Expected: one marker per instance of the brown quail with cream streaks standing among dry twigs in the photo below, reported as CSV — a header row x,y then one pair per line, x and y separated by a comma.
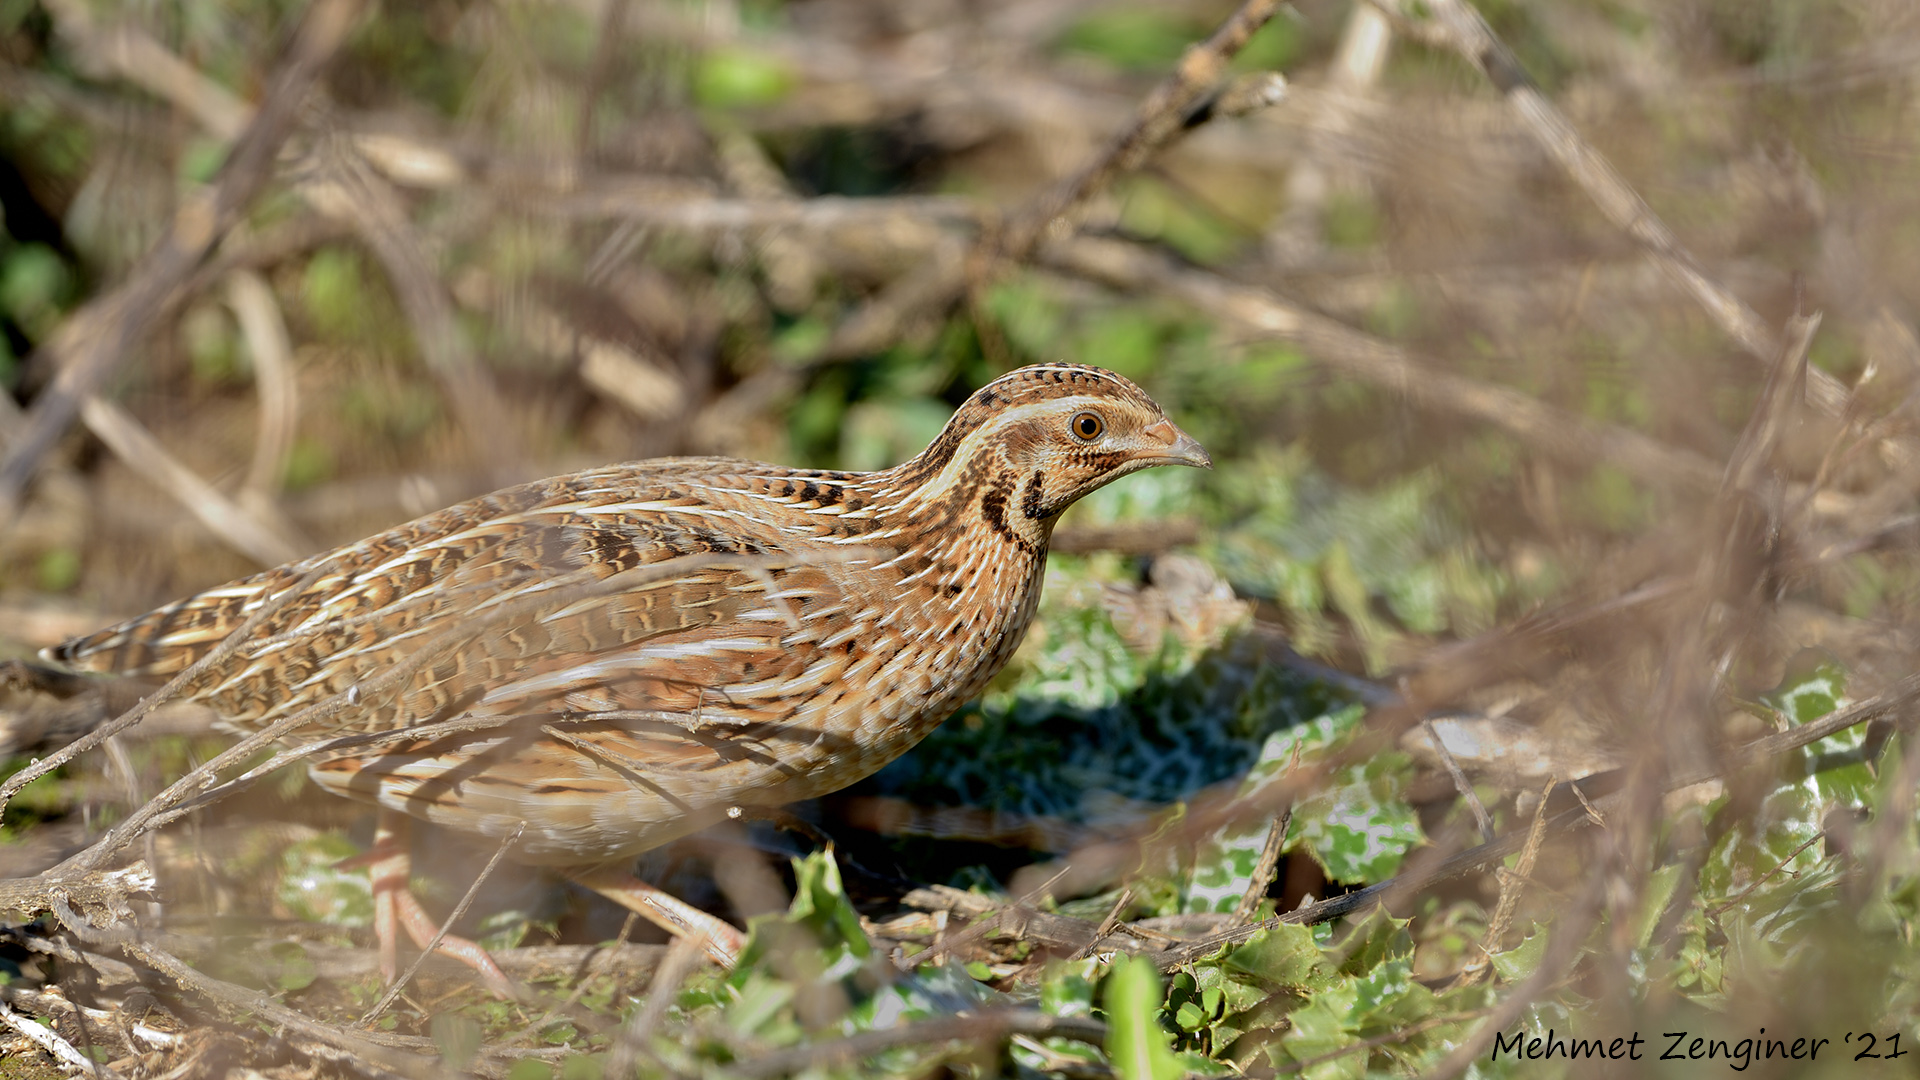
x,y
621,656
